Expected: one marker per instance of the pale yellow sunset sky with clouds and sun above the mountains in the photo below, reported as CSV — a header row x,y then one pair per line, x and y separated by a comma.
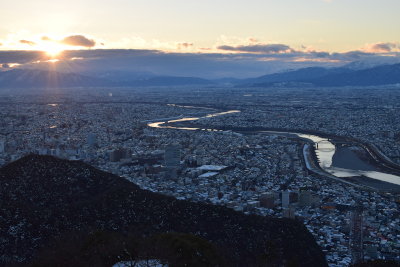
x,y
209,39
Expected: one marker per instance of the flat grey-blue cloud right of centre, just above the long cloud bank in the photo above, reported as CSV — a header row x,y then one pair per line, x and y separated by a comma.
x,y
258,48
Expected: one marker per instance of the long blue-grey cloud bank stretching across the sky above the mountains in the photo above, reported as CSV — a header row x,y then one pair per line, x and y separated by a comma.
x,y
206,62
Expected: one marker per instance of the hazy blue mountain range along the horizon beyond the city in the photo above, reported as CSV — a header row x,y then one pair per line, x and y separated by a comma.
x,y
353,74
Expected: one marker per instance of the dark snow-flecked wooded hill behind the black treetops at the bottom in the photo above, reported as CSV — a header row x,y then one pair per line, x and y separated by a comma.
x,y
43,197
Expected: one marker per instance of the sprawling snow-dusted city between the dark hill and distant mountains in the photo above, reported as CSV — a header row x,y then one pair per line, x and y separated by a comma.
x,y
190,143
